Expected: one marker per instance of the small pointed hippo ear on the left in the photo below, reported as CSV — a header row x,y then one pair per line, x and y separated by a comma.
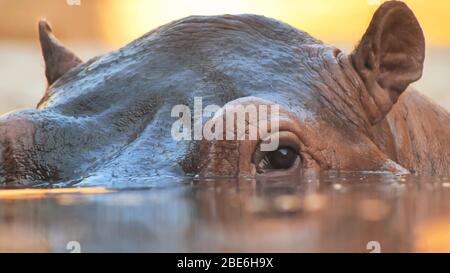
x,y
58,59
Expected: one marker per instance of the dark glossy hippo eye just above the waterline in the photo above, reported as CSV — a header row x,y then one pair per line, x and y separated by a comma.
x,y
282,159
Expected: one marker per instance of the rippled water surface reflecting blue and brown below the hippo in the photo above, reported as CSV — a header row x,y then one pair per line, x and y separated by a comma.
x,y
331,212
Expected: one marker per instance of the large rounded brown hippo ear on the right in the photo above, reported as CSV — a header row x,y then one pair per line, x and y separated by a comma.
x,y
389,57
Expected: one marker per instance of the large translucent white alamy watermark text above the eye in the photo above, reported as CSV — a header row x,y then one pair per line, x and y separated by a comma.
x,y
257,121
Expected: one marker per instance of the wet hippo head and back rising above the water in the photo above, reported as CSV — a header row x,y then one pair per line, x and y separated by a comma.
x,y
108,121
